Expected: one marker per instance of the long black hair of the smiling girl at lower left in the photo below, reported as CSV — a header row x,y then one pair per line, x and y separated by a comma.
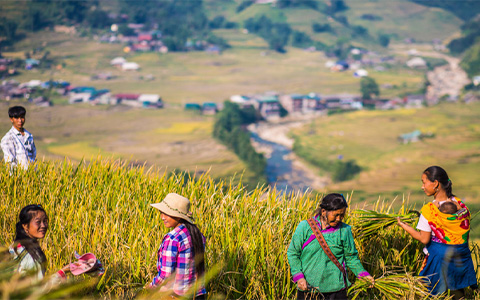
x,y
31,245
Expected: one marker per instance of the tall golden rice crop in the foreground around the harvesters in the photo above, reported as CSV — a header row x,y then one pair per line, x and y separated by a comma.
x,y
104,207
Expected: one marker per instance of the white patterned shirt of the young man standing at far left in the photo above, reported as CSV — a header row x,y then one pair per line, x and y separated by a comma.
x,y
18,149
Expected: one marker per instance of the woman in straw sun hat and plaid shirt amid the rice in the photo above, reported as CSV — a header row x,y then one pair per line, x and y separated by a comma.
x,y
182,252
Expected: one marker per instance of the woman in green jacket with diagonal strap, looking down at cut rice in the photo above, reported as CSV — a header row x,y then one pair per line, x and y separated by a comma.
x,y
316,275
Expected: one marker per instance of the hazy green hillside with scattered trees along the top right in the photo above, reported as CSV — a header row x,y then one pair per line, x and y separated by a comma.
x,y
399,19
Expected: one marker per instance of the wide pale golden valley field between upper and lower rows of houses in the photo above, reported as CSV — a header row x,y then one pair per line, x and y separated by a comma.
x,y
248,68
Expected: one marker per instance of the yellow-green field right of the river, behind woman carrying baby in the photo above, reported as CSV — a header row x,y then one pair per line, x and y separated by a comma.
x,y
390,168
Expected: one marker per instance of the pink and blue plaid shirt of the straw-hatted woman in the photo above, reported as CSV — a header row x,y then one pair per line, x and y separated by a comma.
x,y
175,258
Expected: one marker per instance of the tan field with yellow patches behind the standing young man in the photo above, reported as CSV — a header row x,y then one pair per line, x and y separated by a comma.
x,y
169,138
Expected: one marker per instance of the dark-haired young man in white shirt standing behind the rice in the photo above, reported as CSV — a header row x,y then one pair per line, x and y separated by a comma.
x,y
17,145
